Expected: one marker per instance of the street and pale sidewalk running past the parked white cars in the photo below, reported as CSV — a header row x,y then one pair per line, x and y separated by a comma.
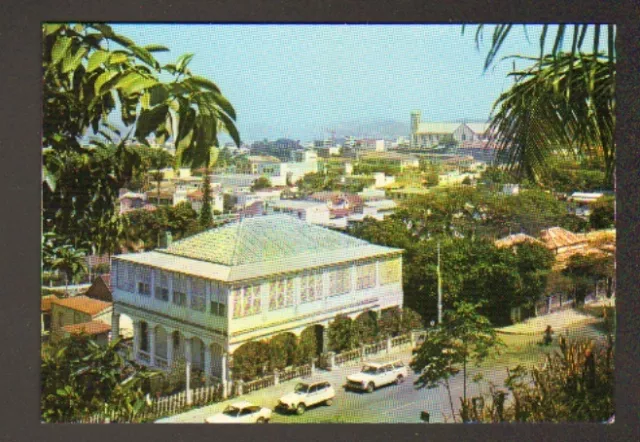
x,y
403,403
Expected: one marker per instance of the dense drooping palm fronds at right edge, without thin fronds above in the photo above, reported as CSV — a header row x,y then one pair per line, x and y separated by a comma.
x,y
561,104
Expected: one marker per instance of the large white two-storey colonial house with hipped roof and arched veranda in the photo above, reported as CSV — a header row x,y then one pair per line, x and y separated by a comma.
x,y
206,295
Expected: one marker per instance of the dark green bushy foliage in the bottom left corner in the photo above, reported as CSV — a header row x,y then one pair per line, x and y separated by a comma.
x,y
80,377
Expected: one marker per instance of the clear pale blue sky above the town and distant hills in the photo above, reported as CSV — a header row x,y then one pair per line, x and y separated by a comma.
x,y
300,81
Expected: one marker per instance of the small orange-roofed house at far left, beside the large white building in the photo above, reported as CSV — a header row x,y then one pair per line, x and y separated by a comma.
x,y
69,315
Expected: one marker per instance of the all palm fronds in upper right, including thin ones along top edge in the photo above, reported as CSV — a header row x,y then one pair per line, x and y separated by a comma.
x,y
565,100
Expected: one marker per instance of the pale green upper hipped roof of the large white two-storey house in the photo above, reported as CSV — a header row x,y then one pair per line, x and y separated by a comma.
x,y
263,239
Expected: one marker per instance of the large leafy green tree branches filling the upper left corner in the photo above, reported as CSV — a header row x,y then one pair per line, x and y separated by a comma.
x,y
89,73
